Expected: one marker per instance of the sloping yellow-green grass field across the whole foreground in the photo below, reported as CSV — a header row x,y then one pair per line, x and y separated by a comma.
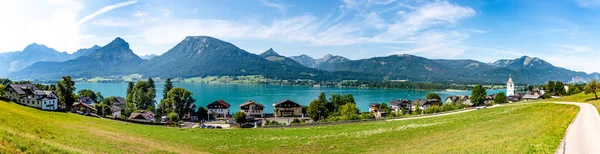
x,y
532,128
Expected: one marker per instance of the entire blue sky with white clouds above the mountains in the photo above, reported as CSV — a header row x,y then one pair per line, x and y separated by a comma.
x,y
562,32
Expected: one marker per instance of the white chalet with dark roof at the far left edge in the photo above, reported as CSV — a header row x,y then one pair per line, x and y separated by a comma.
x,y
30,95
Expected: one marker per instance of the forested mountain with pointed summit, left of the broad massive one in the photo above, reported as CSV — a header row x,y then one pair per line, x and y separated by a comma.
x,y
116,58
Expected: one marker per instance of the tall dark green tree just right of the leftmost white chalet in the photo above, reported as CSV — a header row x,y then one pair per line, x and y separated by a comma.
x,y
65,89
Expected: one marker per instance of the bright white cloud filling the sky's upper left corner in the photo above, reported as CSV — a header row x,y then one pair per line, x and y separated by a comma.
x,y
53,23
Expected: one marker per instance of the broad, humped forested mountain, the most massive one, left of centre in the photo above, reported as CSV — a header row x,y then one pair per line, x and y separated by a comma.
x,y
207,56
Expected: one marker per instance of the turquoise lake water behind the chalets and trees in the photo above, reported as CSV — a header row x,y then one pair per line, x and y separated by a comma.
x,y
236,94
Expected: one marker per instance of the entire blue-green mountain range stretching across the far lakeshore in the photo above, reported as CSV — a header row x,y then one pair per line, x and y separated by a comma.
x,y
198,56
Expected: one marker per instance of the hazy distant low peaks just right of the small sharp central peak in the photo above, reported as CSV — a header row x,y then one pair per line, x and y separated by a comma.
x,y
325,63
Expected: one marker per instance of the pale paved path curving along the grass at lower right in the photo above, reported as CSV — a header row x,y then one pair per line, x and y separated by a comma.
x,y
583,135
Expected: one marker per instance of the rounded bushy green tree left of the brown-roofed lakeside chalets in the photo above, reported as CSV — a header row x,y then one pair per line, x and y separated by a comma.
x,y
181,99
